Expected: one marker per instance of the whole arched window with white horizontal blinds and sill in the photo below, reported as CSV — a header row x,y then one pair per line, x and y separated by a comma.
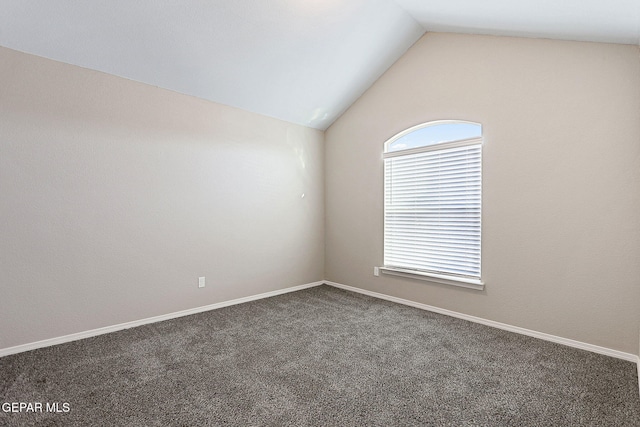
x,y
433,202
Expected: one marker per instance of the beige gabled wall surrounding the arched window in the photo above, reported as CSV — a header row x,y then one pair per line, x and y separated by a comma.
x,y
561,201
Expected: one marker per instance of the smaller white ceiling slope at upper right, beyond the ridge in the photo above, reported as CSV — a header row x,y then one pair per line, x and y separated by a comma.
x,y
608,21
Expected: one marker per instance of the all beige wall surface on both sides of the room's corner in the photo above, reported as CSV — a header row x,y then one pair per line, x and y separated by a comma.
x,y
115,196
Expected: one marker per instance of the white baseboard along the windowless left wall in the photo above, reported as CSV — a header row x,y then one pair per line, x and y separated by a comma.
x,y
107,329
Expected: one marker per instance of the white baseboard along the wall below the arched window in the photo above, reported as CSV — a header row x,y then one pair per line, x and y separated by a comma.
x,y
547,337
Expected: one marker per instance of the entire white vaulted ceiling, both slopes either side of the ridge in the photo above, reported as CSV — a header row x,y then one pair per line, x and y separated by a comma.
x,y
303,61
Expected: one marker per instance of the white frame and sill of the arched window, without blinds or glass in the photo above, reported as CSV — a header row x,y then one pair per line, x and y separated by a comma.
x,y
449,278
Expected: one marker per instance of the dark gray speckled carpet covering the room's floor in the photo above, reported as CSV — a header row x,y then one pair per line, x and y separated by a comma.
x,y
319,357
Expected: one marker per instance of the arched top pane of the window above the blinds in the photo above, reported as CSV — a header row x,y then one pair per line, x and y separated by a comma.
x,y
433,133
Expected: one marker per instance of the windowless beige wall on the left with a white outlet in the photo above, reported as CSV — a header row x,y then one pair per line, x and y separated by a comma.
x,y
115,196
